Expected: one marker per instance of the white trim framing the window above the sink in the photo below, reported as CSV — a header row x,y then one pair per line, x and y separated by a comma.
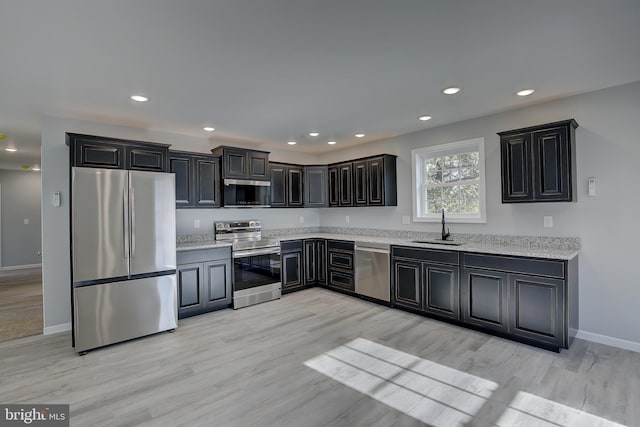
x,y
444,149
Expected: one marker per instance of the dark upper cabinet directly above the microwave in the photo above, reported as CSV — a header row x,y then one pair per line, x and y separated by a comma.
x,y
240,163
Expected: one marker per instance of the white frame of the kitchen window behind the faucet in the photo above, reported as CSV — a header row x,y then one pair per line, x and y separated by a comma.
x,y
418,157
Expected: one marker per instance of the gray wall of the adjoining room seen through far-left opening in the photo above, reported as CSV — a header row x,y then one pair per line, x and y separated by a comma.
x,y
20,200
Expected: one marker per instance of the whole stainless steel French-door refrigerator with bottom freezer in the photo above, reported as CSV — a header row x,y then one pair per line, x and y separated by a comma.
x,y
123,228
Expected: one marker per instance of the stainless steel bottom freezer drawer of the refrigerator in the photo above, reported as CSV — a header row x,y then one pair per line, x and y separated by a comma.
x,y
113,312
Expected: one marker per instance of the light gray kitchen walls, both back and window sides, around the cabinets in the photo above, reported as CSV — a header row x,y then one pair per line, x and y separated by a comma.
x,y
607,149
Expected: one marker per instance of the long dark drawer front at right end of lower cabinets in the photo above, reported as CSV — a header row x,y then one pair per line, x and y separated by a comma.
x,y
540,267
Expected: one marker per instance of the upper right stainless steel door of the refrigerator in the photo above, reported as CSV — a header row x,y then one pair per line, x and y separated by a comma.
x,y
152,200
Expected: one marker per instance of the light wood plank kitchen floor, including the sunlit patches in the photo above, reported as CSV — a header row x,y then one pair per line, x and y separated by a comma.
x,y
318,358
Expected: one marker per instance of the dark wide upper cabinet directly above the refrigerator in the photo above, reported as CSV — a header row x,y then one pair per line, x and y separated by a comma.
x,y
111,153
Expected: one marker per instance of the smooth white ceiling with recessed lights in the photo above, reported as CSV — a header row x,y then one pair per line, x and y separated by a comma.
x,y
266,71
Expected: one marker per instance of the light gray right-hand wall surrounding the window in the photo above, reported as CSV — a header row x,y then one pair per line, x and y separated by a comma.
x,y
608,148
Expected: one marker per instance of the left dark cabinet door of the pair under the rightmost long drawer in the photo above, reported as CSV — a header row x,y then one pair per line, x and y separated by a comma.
x,y
484,299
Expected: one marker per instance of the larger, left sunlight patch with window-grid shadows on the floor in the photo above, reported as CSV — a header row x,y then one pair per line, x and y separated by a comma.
x,y
427,391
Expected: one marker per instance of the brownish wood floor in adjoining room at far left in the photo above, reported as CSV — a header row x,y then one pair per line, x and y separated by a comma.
x,y
20,303
